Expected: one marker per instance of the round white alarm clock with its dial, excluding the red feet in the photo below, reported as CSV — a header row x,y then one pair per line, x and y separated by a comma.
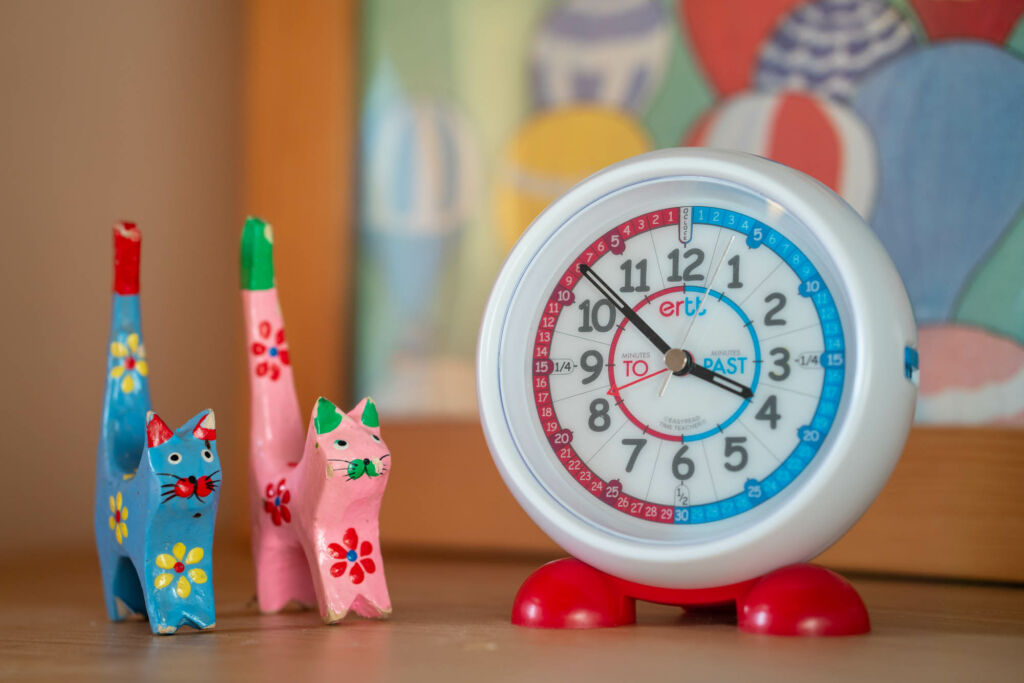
x,y
697,367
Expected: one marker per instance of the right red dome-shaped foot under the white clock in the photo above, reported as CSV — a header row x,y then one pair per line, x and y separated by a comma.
x,y
803,601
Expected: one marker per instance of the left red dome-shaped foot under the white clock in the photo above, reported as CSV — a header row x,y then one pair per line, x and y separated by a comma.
x,y
569,594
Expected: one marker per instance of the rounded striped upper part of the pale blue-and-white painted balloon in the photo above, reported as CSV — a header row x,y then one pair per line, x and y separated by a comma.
x,y
422,169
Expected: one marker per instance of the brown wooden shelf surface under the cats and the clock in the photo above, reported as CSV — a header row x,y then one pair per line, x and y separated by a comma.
x,y
451,622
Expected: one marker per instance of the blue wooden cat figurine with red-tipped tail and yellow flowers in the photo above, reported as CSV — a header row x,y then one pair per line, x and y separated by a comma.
x,y
157,490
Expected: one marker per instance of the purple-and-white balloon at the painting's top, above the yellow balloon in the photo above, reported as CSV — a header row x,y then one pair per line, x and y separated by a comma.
x,y
611,53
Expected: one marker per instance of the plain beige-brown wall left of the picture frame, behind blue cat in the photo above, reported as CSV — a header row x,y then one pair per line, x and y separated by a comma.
x,y
113,110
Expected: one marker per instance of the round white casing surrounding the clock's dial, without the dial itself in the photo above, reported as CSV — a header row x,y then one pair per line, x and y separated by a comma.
x,y
863,450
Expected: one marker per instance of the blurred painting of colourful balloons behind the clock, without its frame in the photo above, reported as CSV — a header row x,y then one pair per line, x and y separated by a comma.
x,y
478,114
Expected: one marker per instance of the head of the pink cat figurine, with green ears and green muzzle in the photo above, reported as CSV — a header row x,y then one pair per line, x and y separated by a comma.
x,y
352,442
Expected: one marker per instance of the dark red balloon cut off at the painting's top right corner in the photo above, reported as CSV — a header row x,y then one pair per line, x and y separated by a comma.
x,y
985,20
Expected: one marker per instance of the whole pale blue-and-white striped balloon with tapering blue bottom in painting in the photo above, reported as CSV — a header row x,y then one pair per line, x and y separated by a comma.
x,y
422,182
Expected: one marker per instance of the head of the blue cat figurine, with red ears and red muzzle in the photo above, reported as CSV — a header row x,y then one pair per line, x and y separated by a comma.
x,y
186,462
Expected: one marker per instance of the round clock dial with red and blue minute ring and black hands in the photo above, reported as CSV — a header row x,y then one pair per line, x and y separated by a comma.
x,y
688,365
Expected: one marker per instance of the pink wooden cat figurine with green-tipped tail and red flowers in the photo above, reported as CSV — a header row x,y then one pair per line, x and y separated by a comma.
x,y
315,507
